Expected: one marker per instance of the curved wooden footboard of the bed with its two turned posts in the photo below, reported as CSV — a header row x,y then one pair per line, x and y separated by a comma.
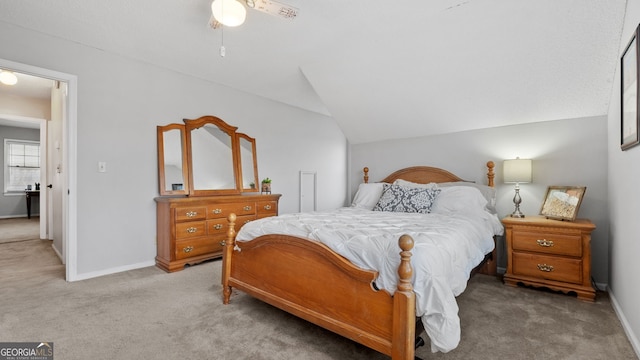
x,y
309,280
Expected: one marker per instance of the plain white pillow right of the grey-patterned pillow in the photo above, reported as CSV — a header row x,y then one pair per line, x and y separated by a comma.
x,y
459,199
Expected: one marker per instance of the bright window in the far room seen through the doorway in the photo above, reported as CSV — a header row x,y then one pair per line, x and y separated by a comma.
x,y
21,164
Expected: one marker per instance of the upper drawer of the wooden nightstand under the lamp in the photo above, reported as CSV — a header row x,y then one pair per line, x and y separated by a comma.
x,y
548,243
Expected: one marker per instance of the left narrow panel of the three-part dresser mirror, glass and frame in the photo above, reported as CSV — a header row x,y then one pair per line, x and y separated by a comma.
x,y
172,160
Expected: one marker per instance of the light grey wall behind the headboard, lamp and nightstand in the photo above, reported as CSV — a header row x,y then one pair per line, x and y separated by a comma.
x,y
567,152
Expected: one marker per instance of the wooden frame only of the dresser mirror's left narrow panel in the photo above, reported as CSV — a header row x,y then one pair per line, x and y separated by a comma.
x,y
162,130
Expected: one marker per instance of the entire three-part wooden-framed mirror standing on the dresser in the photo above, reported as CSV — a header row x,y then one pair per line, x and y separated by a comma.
x,y
206,157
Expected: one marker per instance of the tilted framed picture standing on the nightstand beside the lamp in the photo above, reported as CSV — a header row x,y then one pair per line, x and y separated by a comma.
x,y
562,202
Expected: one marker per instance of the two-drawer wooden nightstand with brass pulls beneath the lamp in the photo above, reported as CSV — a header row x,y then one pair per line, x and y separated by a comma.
x,y
550,253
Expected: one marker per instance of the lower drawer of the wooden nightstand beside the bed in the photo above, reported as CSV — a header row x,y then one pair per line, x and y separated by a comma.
x,y
547,267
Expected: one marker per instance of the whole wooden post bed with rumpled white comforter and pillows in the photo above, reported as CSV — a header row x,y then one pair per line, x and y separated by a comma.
x,y
313,279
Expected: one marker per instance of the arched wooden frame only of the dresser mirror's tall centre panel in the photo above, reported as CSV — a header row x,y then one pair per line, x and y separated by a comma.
x,y
194,124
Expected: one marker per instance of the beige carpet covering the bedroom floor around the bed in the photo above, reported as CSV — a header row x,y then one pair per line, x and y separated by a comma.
x,y
149,314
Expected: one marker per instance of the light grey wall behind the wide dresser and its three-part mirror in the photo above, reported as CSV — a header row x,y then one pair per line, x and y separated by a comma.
x,y
120,103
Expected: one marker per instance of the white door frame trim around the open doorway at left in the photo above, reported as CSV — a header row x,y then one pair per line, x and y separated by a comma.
x,y
70,155
